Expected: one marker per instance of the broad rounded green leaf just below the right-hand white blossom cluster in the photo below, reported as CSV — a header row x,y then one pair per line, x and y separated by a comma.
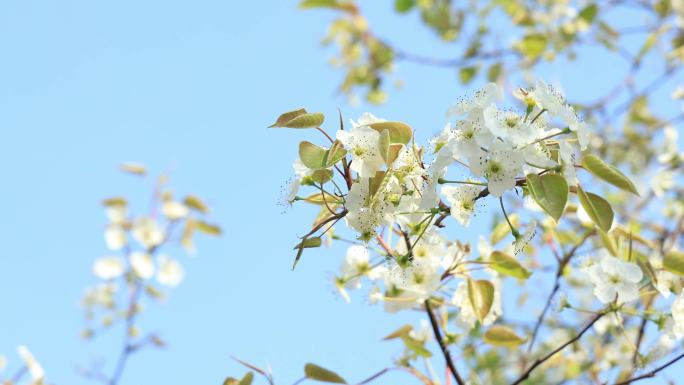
x,y
550,191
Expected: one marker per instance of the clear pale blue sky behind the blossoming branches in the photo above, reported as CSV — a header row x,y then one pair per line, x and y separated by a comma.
x,y
190,87
